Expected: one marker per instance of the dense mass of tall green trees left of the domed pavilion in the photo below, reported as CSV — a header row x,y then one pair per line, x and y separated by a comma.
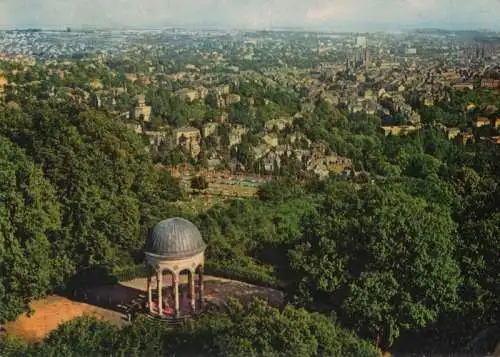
x,y
81,191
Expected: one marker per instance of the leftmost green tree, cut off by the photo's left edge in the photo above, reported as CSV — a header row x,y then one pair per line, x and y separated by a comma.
x,y
29,222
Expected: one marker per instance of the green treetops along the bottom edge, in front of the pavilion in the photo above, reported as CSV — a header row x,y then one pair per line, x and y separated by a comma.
x,y
255,330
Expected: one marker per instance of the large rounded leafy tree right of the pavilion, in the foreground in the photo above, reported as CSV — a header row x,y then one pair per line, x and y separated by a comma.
x,y
382,259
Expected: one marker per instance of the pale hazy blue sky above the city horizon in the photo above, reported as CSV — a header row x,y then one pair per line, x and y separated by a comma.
x,y
332,14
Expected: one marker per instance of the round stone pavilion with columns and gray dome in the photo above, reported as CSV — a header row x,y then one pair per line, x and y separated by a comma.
x,y
174,250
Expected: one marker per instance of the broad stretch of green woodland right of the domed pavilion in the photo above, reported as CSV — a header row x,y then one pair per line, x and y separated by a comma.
x,y
388,259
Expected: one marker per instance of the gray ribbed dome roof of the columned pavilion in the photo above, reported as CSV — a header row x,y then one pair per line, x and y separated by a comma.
x,y
175,238
